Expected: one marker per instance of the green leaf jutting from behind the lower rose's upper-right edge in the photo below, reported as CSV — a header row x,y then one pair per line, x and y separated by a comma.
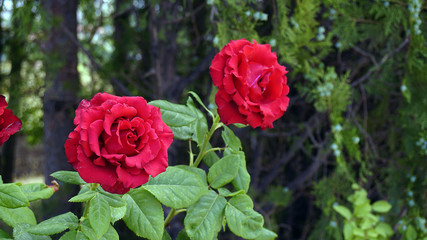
x,y
178,117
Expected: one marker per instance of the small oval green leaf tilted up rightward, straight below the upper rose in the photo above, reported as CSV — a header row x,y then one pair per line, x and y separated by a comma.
x,y
224,171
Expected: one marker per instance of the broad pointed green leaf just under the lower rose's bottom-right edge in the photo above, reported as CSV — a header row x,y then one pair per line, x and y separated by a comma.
x,y
176,187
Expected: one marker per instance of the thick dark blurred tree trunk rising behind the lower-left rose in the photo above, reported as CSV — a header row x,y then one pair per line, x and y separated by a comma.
x,y
62,84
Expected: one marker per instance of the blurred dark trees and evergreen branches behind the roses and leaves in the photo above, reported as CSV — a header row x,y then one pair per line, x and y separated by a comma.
x,y
358,109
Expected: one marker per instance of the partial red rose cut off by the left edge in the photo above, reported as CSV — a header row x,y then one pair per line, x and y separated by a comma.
x,y
9,123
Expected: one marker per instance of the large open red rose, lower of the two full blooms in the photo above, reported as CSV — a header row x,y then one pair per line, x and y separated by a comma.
x,y
118,142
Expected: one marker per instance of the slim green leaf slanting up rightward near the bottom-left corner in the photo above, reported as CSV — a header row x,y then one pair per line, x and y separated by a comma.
x,y
56,224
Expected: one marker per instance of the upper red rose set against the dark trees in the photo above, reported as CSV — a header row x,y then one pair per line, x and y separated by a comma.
x,y
251,84
